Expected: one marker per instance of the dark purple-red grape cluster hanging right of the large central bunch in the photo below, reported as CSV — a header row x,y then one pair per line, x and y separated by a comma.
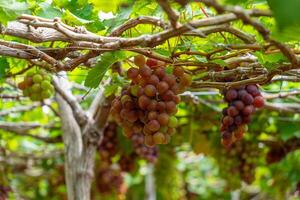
x,y
242,102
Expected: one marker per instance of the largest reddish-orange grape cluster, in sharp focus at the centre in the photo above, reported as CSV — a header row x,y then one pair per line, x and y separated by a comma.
x,y
148,104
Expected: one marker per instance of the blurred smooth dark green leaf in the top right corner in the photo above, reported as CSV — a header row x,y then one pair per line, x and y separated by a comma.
x,y
286,13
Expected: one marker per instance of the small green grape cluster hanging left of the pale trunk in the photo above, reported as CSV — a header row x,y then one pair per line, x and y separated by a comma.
x,y
37,85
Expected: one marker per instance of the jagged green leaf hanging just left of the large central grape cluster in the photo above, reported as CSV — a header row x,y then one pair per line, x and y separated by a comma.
x,y
96,74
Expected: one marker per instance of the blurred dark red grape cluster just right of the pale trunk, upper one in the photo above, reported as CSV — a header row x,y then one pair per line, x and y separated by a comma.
x,y
109,143
